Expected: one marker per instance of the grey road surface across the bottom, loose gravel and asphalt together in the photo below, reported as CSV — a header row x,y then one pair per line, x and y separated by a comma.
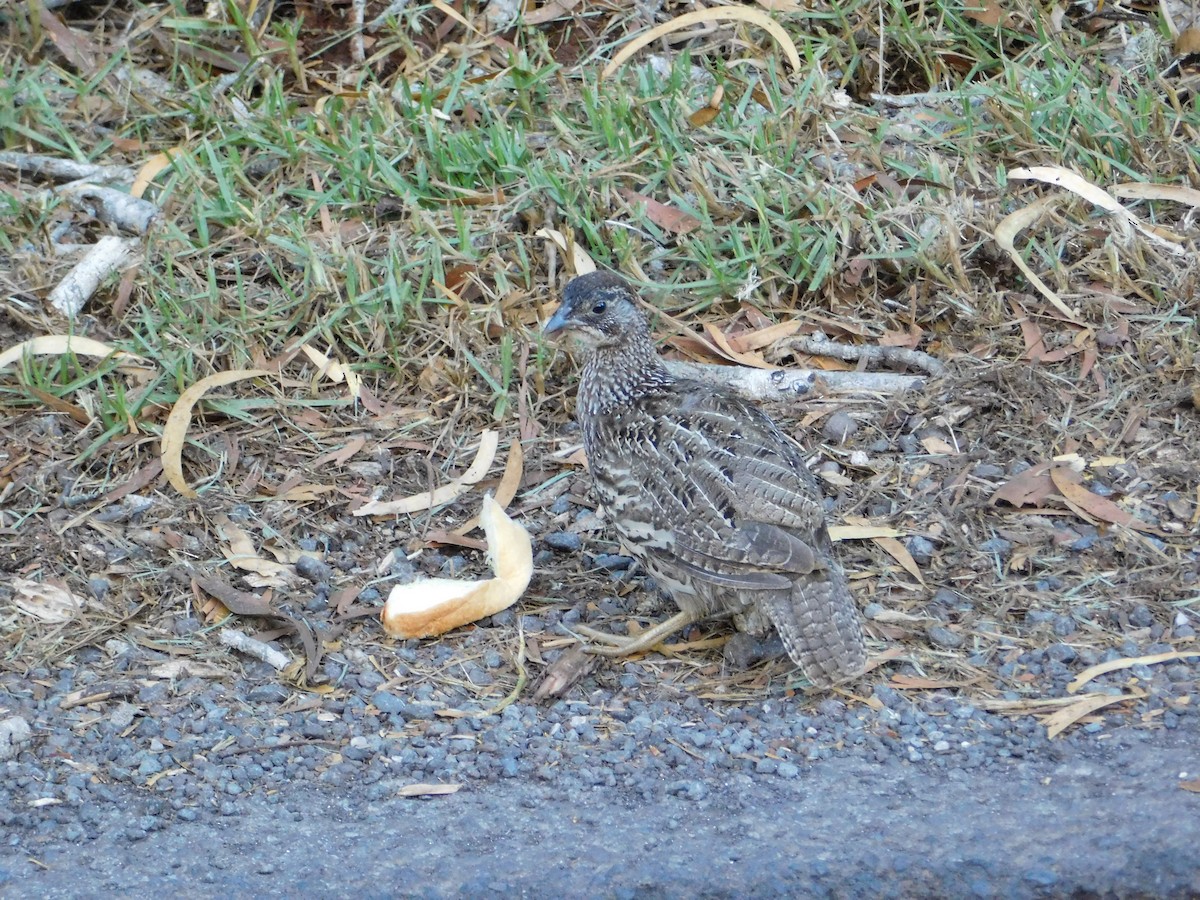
x,y
767,790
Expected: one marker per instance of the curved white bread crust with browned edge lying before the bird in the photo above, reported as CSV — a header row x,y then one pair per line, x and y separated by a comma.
x,y
424,609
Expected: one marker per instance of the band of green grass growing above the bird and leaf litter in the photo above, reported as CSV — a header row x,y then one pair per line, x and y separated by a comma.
x,y
293,213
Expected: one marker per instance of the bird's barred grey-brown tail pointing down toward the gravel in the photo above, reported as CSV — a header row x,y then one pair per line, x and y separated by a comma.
x,y
820,627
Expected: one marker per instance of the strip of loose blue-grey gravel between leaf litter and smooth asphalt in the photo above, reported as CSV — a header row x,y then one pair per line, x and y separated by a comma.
x,y
169,755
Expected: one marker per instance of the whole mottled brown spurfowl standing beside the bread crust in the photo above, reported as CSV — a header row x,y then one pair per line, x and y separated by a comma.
x,y
707,493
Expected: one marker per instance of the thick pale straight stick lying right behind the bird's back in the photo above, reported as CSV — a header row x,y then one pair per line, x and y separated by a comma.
x,y
782,386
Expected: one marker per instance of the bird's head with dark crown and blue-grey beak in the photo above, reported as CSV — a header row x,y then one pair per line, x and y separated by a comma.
x,y
599,310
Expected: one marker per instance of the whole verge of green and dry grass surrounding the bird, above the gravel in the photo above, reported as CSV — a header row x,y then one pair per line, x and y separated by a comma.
x,y
388,211
